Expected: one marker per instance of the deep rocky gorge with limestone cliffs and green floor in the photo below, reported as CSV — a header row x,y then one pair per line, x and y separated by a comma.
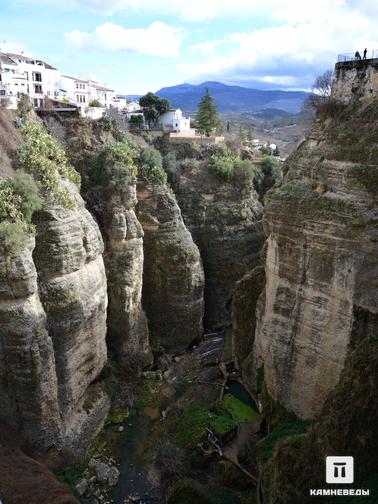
x,y
119,366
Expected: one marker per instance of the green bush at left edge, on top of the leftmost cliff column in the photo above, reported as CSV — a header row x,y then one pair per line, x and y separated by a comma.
x,y
19,198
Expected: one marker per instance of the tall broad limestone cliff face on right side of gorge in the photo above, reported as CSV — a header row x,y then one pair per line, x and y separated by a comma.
x,y
321,262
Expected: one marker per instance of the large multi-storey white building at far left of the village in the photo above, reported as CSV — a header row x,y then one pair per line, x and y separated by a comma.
x,y
20,74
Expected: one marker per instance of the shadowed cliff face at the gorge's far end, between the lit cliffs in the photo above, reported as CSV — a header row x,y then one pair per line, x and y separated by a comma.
x,y
225,220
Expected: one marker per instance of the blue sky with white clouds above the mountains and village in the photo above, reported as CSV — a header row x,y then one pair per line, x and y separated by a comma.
x,y
141,45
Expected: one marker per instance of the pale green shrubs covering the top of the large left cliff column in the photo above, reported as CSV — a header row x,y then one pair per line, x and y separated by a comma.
x,y
44,157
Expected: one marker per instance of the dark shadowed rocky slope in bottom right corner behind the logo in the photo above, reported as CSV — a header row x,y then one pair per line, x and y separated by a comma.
x,y
346,425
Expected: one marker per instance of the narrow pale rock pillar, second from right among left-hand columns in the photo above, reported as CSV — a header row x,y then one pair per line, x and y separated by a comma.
x,y
124,258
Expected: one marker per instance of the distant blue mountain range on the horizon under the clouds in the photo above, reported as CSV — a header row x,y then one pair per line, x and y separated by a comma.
x,y
235,99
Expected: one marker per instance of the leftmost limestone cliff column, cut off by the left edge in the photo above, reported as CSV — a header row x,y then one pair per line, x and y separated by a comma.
x,y
28,382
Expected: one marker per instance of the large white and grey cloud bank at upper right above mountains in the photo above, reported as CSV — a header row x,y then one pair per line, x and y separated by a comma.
x,y
303,41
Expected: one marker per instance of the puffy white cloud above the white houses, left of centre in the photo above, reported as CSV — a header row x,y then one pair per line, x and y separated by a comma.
x,y
158,39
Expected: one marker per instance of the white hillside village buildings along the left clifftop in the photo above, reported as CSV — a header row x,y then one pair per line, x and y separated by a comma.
x,y
48,88
